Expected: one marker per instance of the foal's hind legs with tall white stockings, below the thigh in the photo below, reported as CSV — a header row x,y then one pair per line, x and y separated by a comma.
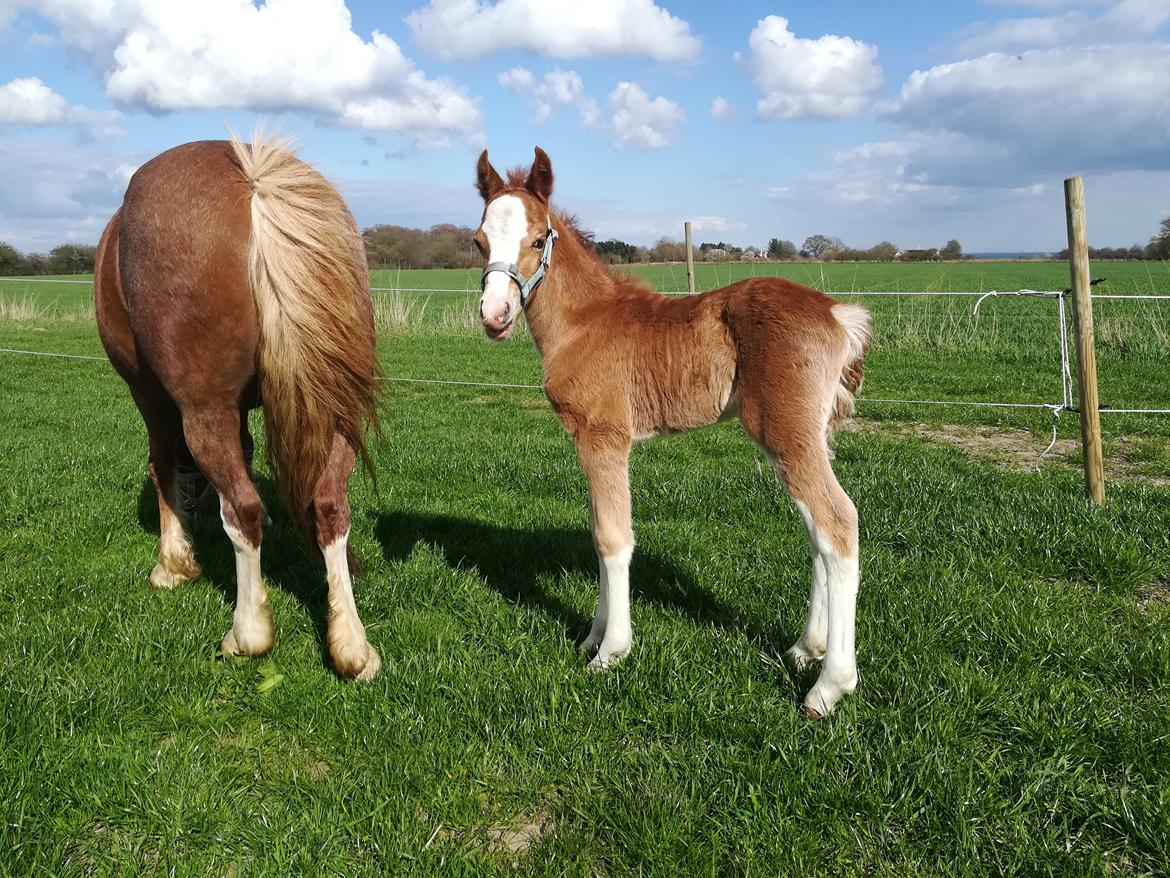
x,y
832,524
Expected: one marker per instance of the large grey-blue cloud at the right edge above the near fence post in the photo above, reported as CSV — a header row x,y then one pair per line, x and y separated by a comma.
x,y
1056,112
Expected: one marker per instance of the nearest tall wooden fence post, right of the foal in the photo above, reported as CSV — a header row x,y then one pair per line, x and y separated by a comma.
x,y
1086,346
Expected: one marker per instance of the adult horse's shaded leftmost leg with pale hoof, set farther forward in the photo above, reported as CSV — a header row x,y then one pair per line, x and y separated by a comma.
x,y
176,559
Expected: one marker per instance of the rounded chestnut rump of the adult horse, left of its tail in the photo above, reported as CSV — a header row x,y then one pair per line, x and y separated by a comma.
x,y
183,252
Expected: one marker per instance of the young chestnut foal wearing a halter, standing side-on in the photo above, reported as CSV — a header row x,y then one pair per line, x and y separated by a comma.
x,y
623,363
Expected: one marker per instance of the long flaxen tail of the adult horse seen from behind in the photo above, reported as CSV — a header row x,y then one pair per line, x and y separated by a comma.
x,y
316,355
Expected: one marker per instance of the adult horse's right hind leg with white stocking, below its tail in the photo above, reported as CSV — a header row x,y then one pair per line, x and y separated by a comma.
x,y
348,646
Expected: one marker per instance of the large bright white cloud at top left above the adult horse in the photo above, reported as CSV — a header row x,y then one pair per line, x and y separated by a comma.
x,y
299,56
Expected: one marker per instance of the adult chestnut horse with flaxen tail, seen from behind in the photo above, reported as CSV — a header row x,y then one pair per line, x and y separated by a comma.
x,y
235,275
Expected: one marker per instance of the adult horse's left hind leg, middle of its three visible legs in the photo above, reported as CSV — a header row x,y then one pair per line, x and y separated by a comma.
x,y
214,436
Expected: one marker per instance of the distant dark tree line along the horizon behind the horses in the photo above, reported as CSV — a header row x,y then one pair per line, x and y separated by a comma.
x,y
450,246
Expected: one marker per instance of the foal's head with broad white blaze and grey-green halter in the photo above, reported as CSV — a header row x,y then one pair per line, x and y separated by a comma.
x,y
514,238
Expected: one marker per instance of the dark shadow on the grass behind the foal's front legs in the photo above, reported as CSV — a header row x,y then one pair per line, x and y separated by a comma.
x,y
518,563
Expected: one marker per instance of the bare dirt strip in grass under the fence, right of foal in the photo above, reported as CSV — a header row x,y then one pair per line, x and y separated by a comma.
x,y
1020,450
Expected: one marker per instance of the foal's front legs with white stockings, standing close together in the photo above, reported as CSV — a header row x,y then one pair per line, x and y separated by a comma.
x,y
605,461
